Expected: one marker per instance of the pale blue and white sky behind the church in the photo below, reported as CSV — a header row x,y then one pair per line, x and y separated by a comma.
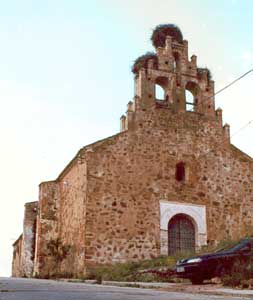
x,y
65,80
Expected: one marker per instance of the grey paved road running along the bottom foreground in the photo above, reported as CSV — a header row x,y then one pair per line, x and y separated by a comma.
x,y
35,289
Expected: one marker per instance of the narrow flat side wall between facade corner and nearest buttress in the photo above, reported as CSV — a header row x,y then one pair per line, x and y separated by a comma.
x,y
72,213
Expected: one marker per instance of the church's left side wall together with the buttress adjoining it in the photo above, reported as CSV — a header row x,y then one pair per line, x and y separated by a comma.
x,y
61,224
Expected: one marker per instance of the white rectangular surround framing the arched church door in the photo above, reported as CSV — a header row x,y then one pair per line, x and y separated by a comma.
x,y
197,213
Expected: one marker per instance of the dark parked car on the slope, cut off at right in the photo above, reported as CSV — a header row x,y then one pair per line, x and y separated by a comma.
x,y
217,264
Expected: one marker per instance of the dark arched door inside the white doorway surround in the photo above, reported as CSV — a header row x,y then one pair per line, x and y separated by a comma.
x,y
181,234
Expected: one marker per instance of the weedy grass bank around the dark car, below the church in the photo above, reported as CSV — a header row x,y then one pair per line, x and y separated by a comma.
x,y
161,268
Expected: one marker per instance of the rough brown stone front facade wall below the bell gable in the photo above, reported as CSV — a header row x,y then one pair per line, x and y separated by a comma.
x,y
129,174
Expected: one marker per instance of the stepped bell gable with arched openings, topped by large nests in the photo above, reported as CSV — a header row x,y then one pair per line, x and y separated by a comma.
x,y
170,70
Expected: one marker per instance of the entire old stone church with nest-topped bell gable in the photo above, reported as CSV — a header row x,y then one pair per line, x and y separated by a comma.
x,y
169,181
